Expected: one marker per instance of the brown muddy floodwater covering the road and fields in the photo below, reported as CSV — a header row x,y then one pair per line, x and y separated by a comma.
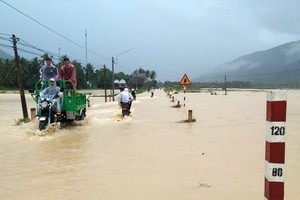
x,y
150,154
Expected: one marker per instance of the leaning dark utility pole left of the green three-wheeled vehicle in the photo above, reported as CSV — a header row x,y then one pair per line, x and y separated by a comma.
x,y
20,79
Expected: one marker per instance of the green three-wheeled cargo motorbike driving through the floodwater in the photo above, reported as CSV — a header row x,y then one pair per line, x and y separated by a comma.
x,y
73,104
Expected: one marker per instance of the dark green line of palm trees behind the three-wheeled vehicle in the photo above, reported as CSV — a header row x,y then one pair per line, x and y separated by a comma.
x,y
87,77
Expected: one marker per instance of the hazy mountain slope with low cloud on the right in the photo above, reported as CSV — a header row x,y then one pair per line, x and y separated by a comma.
x,y
278,65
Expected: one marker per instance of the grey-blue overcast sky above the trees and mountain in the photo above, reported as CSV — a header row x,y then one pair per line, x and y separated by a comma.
x,y
172,37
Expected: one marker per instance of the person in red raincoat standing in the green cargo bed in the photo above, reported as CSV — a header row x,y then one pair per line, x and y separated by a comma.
x,y
68,72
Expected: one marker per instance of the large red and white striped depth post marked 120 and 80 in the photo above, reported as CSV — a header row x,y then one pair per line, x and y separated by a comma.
x,y
275,145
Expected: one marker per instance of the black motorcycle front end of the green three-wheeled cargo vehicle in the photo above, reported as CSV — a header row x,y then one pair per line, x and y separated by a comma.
x,y
47,111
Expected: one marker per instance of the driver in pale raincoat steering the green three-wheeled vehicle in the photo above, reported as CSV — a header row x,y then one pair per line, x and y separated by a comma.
x,y
53,90
